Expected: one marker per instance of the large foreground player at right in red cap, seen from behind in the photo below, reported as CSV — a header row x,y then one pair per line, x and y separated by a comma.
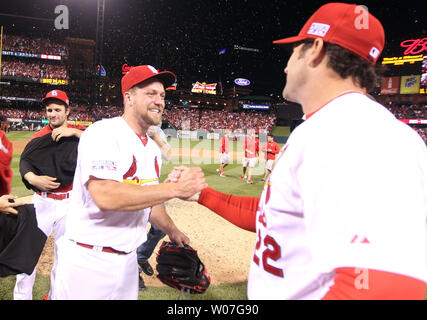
x,y
343,213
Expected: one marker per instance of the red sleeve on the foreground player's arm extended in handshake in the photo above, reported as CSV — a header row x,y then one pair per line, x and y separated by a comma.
x,y
240,211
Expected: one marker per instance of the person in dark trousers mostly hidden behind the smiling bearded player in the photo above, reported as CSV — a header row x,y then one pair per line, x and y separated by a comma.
x,y
155,234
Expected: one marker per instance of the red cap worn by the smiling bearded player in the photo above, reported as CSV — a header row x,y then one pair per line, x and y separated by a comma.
x,y
141,73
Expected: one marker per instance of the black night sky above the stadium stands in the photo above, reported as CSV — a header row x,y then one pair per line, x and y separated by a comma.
x,y
185,36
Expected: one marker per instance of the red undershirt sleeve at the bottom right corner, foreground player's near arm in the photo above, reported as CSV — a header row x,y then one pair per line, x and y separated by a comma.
x,y
369,284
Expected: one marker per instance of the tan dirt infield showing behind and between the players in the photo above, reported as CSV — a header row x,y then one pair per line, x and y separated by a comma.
x,y
225,249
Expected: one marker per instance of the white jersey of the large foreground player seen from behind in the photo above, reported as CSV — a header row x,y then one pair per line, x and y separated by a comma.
x,y
349,189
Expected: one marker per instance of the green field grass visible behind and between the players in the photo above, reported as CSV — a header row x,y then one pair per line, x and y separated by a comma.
x,y
200,155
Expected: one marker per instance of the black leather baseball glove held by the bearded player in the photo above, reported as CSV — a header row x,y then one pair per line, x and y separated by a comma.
x,y
181,268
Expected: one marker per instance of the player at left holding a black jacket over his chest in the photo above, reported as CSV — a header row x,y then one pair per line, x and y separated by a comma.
x,y
40,166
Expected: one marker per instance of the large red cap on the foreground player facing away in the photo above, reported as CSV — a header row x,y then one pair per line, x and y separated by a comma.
x,y
350,26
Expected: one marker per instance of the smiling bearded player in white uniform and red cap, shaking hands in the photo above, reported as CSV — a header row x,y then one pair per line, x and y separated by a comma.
x,y
116,192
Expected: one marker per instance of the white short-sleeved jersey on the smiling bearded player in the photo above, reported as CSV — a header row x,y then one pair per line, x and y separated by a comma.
x,y
110,149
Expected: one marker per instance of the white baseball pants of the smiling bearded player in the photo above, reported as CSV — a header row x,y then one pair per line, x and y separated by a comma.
x,y
91,274
